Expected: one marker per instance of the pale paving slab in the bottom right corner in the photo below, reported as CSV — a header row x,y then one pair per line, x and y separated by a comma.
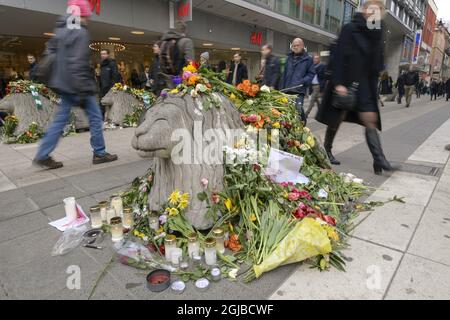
x,y
420,279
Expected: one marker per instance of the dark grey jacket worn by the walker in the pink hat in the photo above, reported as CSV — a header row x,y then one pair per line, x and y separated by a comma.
x,y
71,70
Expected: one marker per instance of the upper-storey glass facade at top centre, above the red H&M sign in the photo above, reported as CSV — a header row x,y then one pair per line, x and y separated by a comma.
x,y
325,14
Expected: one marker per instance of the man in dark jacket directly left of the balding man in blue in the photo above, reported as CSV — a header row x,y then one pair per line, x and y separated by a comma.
x,y
270,72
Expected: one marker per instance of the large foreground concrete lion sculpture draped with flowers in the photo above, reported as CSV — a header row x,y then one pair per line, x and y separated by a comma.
x,y
159,136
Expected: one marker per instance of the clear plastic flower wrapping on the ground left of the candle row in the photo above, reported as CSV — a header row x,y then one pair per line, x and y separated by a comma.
x,y
138,256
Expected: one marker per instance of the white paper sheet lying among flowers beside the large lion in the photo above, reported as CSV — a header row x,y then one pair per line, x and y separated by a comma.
x,y
285,167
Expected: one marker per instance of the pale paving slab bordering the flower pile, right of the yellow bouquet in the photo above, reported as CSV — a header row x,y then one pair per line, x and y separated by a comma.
x,y
391,225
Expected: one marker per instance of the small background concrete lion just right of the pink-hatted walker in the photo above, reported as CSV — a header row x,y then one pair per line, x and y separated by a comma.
x,y
118,104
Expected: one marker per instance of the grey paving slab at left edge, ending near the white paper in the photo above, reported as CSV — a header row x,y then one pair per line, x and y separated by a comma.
x,y
22,225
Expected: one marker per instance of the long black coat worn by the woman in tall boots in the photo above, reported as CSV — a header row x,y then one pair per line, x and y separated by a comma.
x,y
357,57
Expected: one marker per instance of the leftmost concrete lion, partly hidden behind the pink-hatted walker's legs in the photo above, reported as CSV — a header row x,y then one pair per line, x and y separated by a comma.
x,y
24,107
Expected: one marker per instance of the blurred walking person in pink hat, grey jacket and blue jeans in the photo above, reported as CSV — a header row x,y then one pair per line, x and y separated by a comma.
x,y
72,79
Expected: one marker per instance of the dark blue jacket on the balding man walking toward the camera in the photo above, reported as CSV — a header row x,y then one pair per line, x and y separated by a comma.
x,y
299,69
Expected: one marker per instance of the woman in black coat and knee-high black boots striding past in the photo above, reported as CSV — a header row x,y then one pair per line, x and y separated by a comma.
x,y
357,58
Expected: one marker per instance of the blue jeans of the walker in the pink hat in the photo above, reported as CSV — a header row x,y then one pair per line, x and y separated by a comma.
x,y
62,117
